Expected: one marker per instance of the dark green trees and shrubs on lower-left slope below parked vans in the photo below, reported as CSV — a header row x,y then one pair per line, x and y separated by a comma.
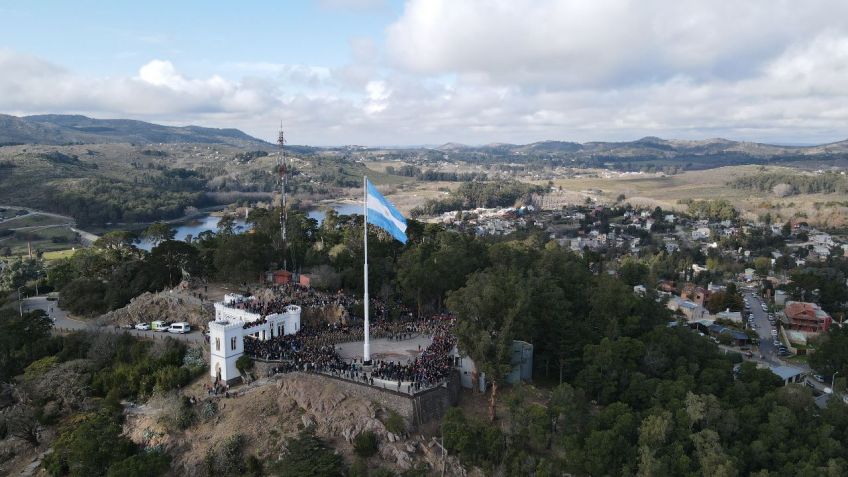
x,y
75,383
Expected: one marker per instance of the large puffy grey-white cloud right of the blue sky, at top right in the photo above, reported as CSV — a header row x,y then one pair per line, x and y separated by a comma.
x,y
556,43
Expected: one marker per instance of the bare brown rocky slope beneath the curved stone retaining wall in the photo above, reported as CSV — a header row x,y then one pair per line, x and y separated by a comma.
x,y
269,412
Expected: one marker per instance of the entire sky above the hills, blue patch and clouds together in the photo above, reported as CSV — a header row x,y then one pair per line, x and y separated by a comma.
x,y
384,72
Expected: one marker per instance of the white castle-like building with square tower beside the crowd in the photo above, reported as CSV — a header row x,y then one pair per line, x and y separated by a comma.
x,y
235,322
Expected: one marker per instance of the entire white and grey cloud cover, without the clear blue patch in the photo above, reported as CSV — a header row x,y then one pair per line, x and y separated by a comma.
x,y
509,71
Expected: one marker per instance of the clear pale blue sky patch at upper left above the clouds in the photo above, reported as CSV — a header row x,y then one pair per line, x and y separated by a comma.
x,y
111,38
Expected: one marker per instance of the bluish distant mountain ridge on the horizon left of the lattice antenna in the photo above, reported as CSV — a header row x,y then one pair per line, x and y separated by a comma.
x,y
58,129
